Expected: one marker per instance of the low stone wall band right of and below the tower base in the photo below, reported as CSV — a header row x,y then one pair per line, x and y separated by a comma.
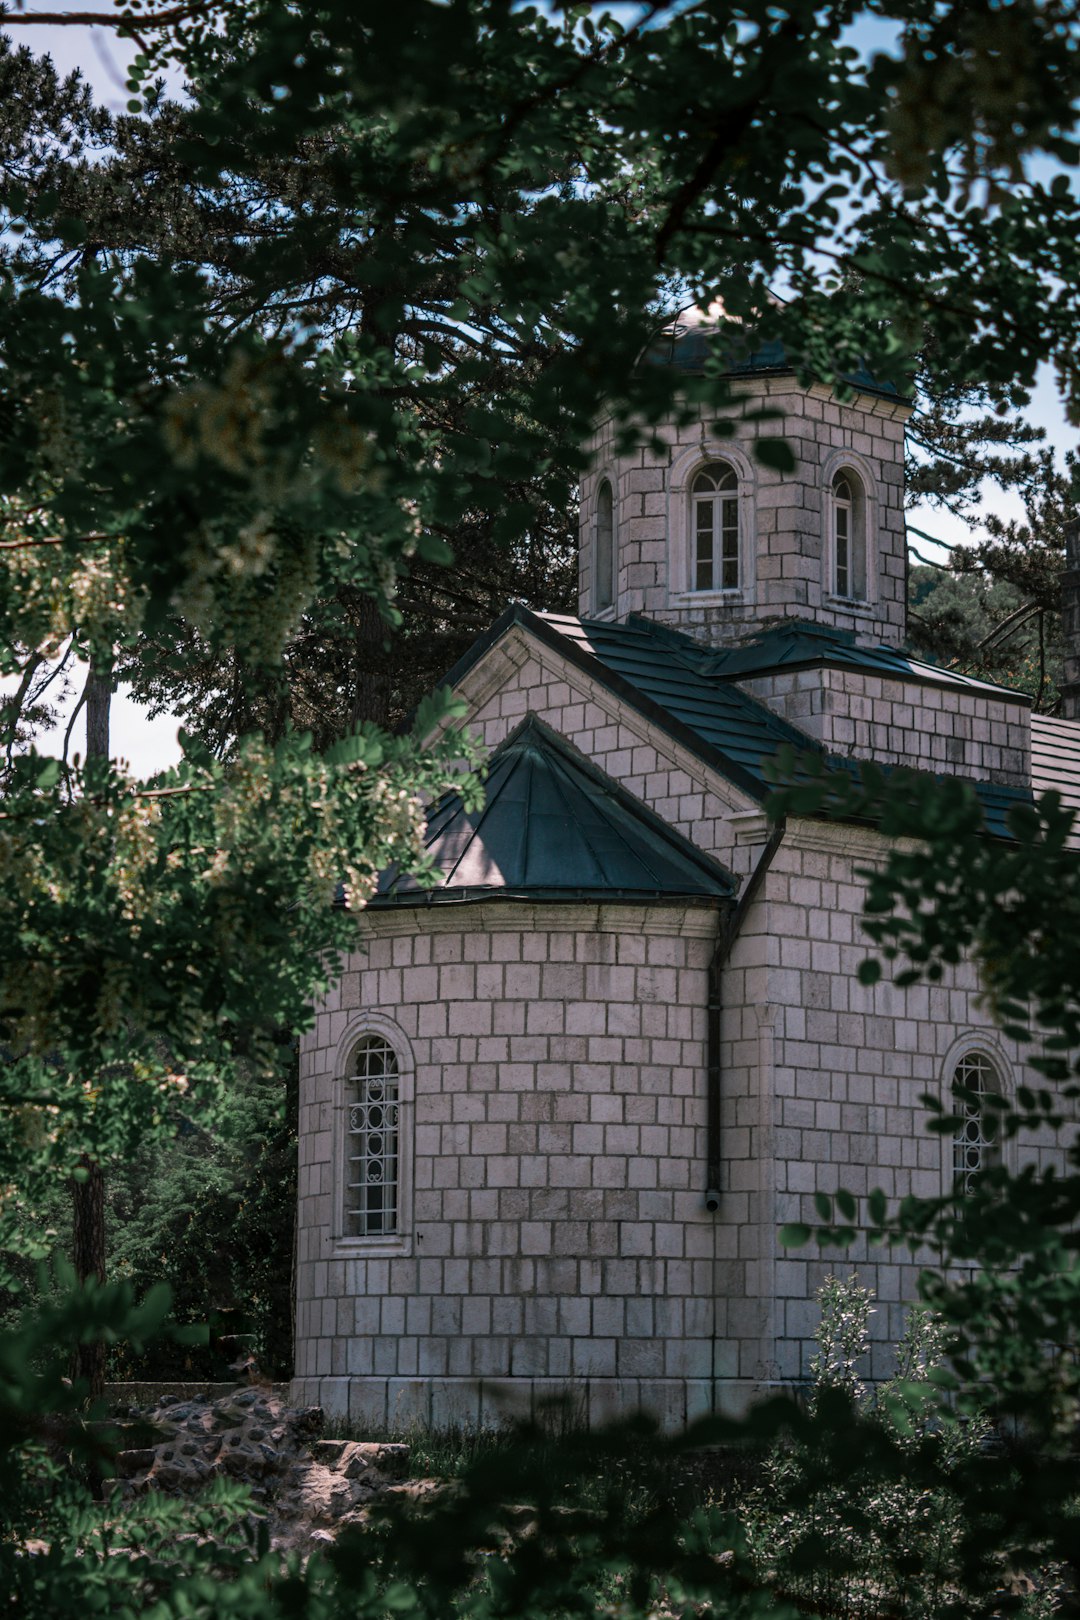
x,y
953,731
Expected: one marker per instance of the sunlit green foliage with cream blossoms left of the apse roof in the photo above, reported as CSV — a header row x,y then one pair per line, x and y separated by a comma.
x,y
153,937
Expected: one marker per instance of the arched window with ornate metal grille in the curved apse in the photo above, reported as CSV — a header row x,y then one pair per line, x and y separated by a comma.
x,y
372,1187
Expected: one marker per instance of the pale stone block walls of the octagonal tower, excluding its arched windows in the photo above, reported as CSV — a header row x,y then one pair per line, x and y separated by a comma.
x,y
786,563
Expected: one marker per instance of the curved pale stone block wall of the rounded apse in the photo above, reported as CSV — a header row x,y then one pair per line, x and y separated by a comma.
x,y
558,1227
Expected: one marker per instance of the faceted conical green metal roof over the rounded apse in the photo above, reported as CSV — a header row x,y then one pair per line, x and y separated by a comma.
x,y
556,829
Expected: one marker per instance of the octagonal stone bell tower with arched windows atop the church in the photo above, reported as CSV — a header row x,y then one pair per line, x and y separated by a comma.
x,y
702,537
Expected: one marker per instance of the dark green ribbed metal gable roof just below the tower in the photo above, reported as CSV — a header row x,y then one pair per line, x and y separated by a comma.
x,y
671,681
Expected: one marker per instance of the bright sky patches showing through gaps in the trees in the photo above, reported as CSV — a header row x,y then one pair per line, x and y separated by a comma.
x,y
151,746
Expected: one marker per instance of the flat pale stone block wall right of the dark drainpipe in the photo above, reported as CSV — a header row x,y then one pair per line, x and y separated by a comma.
x,y
833,1072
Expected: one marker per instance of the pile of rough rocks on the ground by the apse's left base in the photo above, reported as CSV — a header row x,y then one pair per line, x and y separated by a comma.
x,y
307,1488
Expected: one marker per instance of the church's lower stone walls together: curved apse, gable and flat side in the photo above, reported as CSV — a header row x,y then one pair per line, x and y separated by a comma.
x,y
556,1235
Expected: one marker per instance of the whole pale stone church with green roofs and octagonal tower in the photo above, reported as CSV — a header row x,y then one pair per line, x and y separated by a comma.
x,y
558,1109
